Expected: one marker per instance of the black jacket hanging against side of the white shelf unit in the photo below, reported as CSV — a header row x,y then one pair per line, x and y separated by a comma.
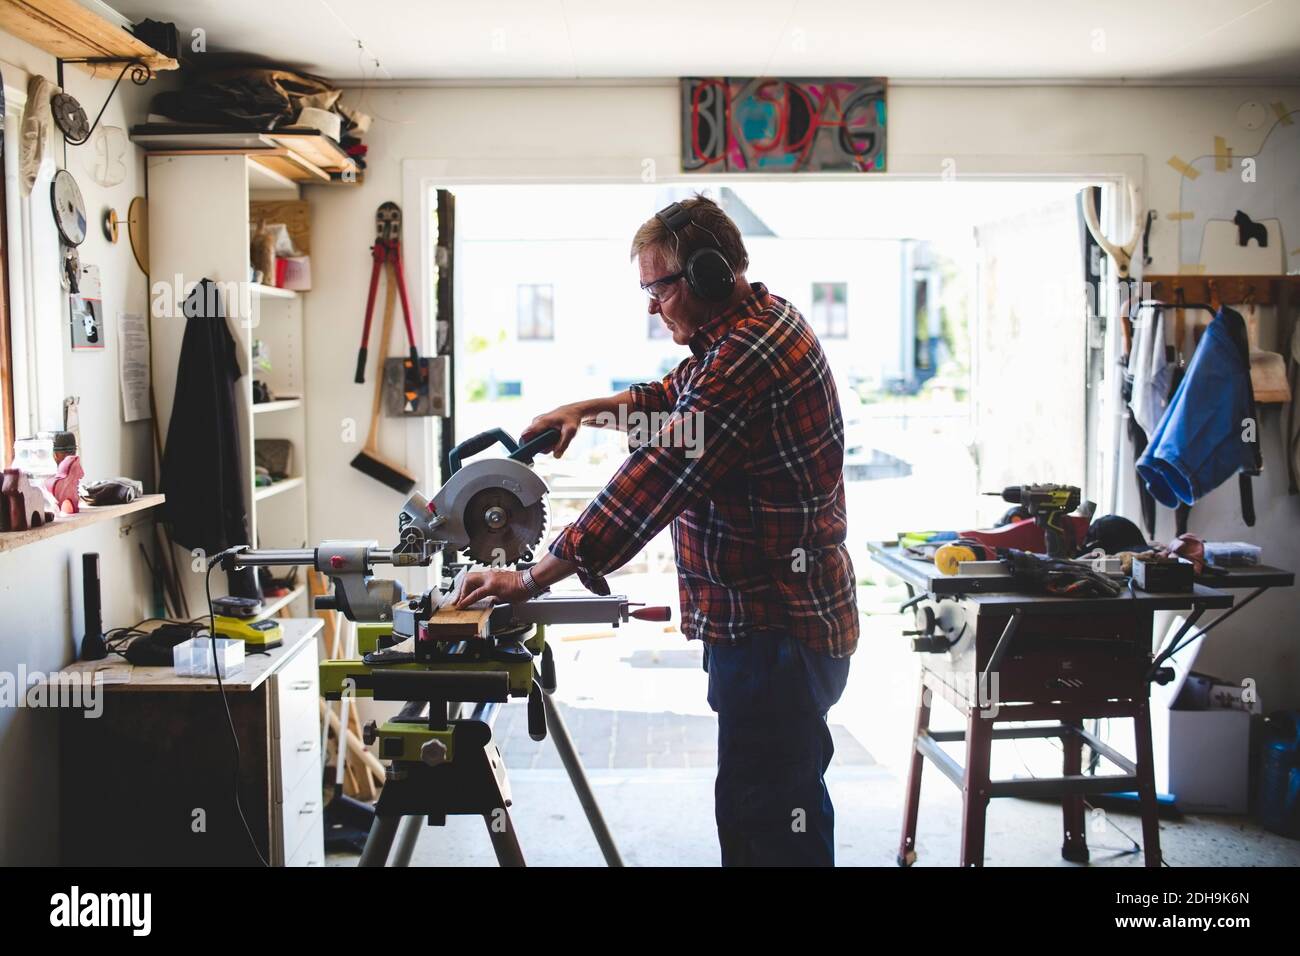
x,y
203,470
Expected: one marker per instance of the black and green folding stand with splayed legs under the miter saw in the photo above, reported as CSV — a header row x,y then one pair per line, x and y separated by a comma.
x,y
445,763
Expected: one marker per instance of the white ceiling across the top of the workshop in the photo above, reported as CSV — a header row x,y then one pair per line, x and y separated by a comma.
x,y
406,41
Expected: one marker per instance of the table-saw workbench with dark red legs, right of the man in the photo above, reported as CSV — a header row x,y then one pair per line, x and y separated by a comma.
x,y
1020,657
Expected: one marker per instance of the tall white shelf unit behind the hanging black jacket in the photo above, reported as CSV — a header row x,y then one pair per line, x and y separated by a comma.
x,y
200,228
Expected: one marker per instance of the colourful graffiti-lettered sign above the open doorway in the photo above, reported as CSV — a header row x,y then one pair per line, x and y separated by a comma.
x,y
765,126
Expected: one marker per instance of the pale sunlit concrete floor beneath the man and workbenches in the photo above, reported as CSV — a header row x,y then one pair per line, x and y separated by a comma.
x,y
635,706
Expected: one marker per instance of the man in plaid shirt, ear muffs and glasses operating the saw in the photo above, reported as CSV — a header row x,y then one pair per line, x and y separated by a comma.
x,y
759,522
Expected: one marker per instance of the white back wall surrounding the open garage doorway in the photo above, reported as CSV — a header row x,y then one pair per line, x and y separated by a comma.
x,y
603,133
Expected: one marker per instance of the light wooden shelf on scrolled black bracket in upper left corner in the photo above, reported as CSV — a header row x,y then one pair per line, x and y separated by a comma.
x,y
68,31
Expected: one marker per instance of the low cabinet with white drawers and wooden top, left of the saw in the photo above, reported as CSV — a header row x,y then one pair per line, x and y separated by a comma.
x,y
151,780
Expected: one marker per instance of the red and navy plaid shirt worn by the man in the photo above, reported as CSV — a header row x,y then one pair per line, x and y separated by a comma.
x,y
746,458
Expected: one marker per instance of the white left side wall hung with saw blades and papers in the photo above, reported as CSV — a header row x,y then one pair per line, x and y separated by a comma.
x,y
41,618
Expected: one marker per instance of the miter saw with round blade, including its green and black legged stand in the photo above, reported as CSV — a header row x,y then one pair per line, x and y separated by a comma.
x,y
454,680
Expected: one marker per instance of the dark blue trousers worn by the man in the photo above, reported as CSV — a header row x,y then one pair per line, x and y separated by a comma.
x,y
772,695
